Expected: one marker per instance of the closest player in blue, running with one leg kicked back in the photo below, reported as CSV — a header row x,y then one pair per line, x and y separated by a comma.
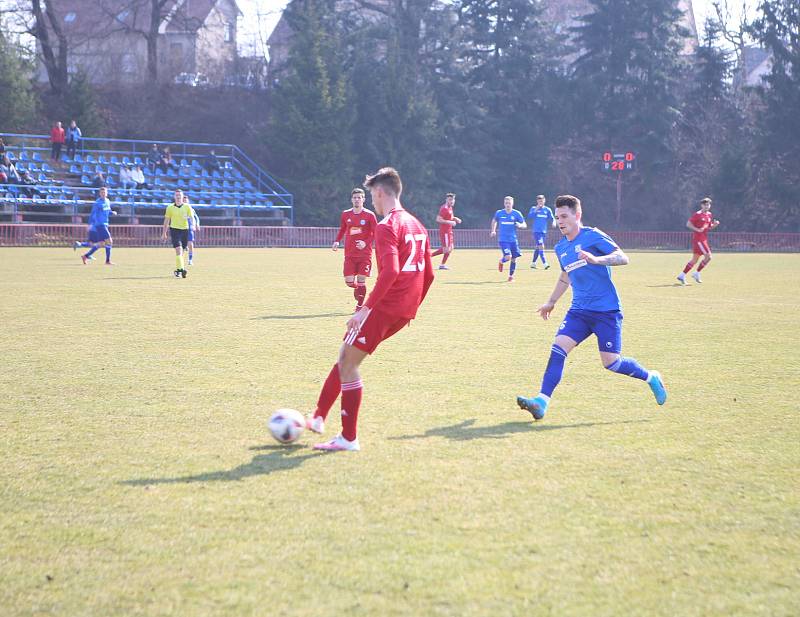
x,y
585,255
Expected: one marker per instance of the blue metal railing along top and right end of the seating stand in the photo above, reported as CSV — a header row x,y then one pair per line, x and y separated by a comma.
x,y
132,148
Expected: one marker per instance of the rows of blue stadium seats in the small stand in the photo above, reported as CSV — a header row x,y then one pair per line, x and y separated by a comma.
x,y
237,194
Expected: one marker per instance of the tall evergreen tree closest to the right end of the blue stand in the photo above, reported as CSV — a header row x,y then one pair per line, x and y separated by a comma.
x,y
311,127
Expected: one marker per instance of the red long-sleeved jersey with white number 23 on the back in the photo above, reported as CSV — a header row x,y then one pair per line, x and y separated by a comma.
x,y
404,265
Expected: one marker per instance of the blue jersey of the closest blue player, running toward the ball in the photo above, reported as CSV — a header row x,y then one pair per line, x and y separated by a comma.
x,y
592,287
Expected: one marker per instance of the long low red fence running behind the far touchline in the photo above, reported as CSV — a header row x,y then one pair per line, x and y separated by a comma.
x,y
297,237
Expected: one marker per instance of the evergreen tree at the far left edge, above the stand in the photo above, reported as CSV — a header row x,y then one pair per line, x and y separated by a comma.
x,y
17,99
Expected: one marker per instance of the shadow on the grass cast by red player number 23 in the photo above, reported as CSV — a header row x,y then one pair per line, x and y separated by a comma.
x,y
276,458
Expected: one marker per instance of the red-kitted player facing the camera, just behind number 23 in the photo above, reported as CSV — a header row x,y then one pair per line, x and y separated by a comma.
x,y
357,227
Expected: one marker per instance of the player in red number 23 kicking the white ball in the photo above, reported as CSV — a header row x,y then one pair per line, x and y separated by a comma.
x,y
405,273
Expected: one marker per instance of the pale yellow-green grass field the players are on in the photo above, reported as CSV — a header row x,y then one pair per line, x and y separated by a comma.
x,y
138,476
